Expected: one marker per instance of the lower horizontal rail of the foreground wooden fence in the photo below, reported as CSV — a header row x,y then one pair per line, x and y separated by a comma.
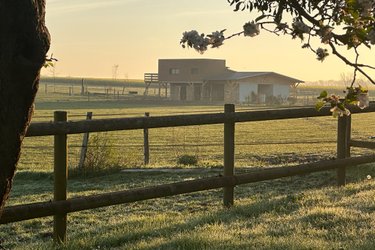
x,y
43,209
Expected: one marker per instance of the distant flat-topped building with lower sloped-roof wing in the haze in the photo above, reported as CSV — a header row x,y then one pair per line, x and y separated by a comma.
x,y
211,80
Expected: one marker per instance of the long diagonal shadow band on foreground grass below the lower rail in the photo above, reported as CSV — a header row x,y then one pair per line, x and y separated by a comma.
x,y
281,206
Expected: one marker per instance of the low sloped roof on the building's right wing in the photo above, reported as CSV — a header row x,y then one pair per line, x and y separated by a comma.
x,y
231,75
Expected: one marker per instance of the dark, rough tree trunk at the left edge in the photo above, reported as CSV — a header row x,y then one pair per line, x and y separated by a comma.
x,y
24,42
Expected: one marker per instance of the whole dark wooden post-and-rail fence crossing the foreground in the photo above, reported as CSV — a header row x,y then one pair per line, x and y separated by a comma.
x,y
60,128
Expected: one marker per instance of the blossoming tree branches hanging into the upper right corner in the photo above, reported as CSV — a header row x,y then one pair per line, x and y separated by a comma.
x,y
334,23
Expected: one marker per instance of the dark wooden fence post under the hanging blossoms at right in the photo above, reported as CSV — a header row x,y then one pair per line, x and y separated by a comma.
x,y
343,148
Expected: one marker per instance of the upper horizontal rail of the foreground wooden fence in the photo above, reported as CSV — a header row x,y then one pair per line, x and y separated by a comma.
x,y
101,125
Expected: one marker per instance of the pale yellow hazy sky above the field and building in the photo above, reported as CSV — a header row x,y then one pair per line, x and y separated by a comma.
x,y
89,37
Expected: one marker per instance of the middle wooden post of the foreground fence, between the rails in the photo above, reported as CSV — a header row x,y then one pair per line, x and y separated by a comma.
x,y
229,126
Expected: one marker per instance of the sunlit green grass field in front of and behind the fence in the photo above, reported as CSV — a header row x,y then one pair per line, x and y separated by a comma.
x,y
302,212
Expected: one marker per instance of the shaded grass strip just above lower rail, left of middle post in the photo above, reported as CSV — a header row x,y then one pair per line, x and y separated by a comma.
x,y
29,183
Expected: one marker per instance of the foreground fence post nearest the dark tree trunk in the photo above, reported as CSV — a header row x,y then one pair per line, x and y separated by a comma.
x,y
60,178
